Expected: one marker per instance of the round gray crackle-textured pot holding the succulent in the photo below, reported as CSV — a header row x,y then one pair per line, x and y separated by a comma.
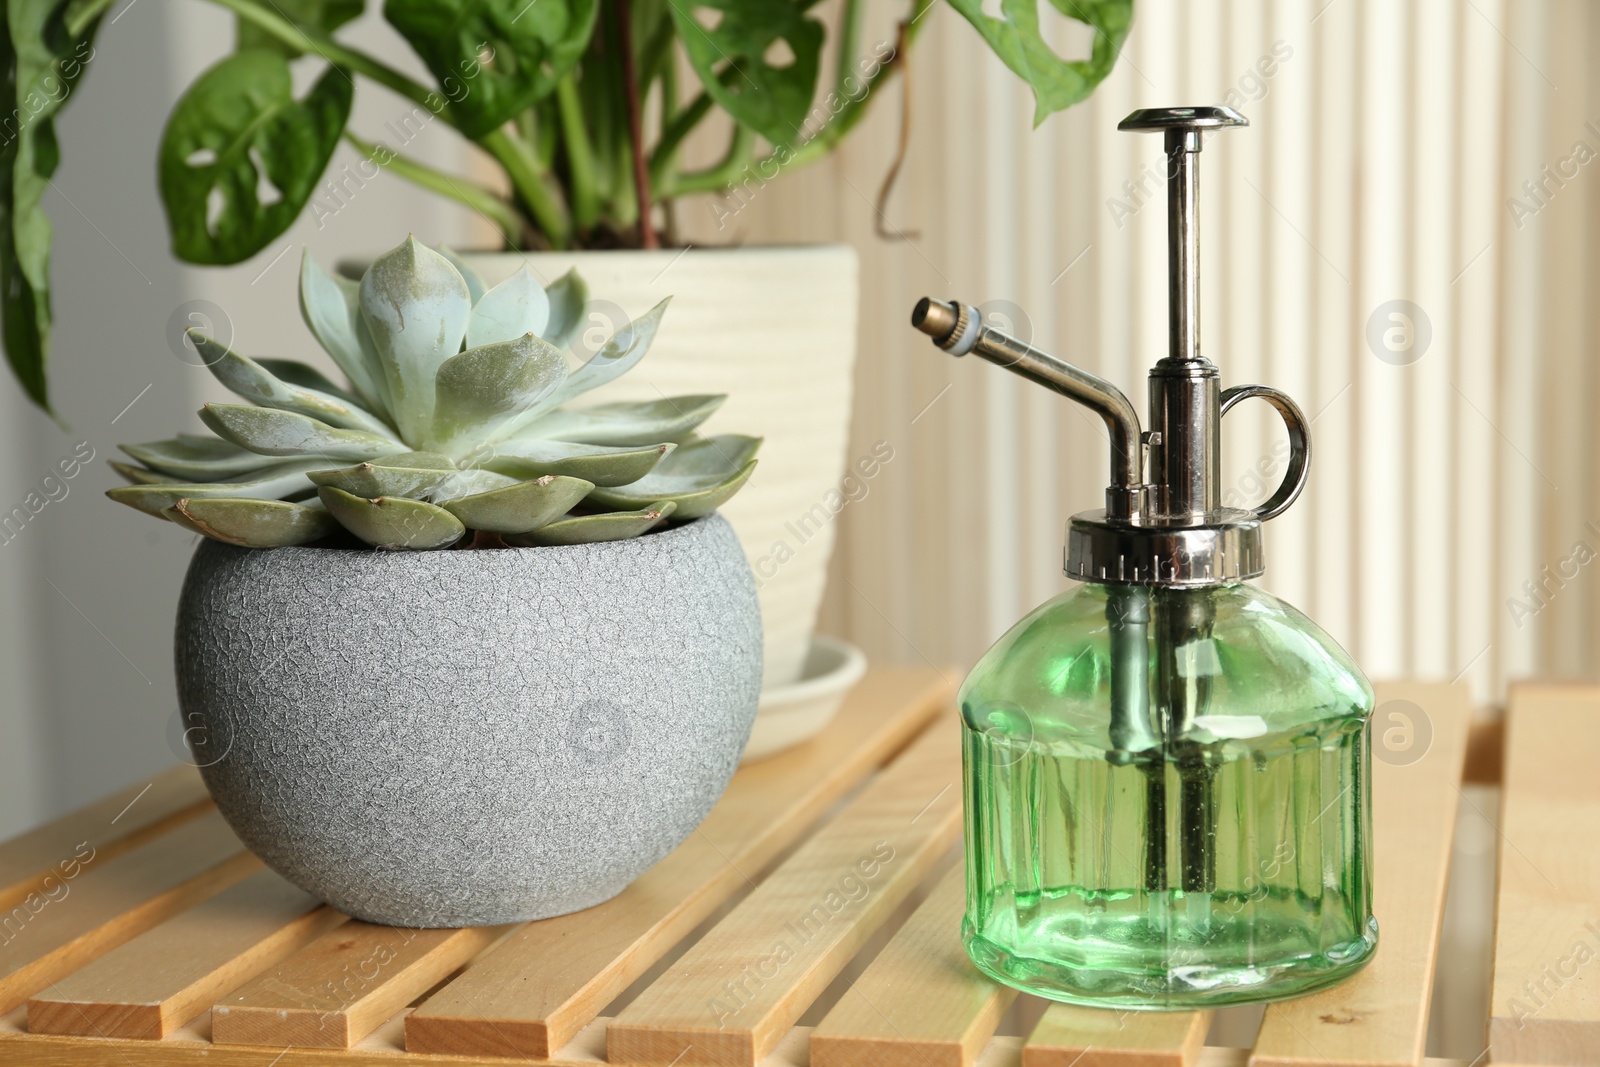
x,y
473,737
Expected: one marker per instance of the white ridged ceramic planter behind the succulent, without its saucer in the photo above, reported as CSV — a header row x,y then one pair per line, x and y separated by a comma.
x,y
775,329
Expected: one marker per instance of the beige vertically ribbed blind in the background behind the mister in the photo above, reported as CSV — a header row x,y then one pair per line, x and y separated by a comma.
x,y
1404,241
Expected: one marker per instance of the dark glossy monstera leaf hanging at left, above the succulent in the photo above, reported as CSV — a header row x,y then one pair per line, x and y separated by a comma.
x,y
242,138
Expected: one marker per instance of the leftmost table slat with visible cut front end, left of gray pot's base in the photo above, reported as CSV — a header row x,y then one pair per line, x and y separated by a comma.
x,y
170,975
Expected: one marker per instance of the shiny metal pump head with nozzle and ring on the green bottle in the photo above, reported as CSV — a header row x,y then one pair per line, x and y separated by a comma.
x,y
1164,522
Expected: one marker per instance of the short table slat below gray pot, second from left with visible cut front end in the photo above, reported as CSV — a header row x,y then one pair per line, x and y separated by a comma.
x,y
343,986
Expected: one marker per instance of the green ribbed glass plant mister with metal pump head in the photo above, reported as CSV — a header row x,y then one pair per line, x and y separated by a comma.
x,y
1167,770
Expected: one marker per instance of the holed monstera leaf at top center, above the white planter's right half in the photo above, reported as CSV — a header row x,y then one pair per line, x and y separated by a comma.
x,y
767,97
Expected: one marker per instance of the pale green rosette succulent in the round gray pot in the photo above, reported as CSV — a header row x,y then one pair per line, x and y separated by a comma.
x,y
450,431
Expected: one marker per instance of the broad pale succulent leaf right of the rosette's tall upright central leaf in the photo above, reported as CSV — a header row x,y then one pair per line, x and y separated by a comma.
x,y
484,391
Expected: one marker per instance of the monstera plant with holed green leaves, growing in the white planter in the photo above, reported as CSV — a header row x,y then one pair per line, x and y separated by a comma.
x,y
559,94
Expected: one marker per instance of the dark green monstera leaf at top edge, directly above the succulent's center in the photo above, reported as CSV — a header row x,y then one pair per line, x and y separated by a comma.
x,y
495,58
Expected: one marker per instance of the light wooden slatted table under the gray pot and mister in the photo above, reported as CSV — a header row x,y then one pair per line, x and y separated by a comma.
x,y
138,932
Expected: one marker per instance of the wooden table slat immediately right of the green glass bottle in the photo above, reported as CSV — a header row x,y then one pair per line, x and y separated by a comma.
x,y
1378,1018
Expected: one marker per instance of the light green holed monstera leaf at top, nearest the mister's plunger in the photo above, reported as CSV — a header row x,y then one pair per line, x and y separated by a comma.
x,y
1058,84
